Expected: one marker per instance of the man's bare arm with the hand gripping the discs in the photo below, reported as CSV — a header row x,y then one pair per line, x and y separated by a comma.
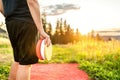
x,y
35,12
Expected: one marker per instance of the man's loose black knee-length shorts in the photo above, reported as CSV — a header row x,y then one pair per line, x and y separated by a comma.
x,y
23,37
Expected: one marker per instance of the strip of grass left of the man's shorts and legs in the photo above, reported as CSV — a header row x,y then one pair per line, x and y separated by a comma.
x,y
5,58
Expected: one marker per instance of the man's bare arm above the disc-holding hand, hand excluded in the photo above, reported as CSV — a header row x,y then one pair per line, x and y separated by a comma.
x,y
35,12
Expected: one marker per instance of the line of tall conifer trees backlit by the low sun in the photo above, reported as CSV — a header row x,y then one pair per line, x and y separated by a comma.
x,y
62,34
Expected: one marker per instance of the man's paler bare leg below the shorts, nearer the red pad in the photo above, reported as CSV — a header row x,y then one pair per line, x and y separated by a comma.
x,y
23,72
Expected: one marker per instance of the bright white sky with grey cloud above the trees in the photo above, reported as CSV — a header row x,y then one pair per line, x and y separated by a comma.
x,y
86,15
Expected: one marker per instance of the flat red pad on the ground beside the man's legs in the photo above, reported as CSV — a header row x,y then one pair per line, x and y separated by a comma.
x,y
57,72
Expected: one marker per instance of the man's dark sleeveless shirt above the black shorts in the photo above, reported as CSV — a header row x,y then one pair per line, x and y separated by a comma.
x,y
17,10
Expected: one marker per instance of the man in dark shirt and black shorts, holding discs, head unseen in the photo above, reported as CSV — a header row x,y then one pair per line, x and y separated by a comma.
x,y
23,20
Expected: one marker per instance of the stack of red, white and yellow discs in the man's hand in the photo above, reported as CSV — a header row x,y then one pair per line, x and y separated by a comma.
x,y
43,51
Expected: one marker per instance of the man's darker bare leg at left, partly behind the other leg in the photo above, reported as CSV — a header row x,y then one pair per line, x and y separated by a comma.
x,y
13,71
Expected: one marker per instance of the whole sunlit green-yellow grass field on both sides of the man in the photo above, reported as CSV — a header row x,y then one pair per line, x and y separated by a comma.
x,y
100,59
